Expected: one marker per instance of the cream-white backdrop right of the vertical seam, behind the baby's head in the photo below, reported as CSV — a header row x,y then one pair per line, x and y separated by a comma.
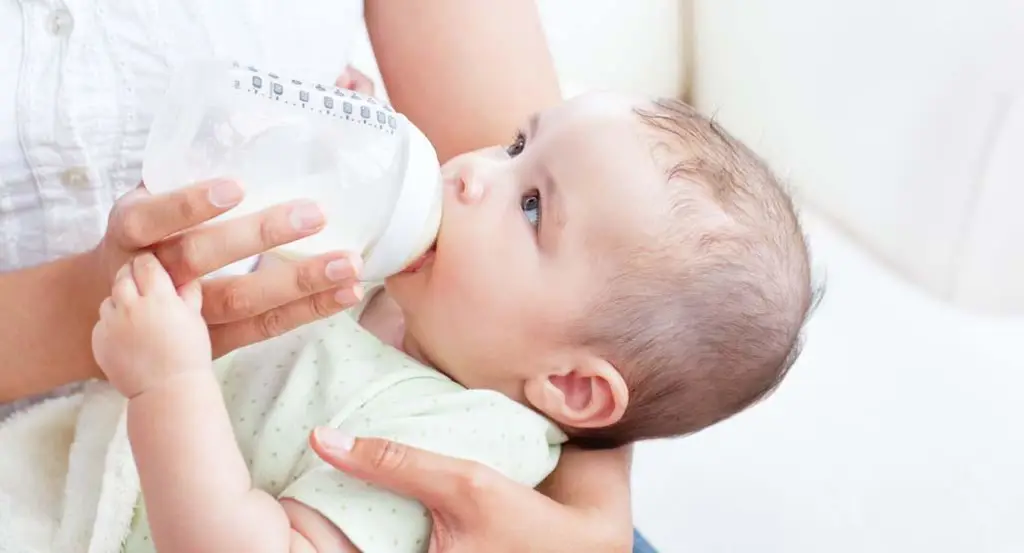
x,y
903,120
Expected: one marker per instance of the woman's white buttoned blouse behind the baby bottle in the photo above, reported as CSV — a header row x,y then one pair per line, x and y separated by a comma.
x,y
79,80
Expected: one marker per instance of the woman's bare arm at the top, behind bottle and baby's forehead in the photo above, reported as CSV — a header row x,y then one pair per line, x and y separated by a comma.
x,y
467,73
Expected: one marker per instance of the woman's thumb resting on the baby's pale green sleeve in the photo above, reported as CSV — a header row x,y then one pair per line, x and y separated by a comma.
x,y
456,487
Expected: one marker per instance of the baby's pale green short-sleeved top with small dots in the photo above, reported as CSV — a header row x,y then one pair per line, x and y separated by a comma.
x,y
336,373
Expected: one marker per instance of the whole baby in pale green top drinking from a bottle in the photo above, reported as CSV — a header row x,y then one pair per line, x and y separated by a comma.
x,y
622,271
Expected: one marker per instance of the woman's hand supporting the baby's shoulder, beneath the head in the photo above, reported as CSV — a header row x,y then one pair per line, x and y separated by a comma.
x,y
477,509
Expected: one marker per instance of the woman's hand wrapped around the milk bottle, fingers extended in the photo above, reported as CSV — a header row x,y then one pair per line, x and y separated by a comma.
x,y
239,311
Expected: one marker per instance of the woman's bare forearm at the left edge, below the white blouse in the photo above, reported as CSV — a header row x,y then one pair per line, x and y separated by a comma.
x,y
47,319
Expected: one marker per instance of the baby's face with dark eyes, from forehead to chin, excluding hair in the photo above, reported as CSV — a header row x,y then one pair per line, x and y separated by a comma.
x,y
525,242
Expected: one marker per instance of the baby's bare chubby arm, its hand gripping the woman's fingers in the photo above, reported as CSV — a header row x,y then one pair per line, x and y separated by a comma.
x,y
197,488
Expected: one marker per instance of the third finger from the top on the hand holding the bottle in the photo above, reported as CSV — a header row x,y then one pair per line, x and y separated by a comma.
x,y
277,284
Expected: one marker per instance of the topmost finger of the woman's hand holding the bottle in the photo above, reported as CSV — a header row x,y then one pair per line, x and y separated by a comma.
x,y
141,220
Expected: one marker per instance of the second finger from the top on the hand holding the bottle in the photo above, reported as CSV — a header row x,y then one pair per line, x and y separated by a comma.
x,y
206,249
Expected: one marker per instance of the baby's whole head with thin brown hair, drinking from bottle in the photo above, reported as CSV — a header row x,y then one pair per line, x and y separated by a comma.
x,y
627,269
